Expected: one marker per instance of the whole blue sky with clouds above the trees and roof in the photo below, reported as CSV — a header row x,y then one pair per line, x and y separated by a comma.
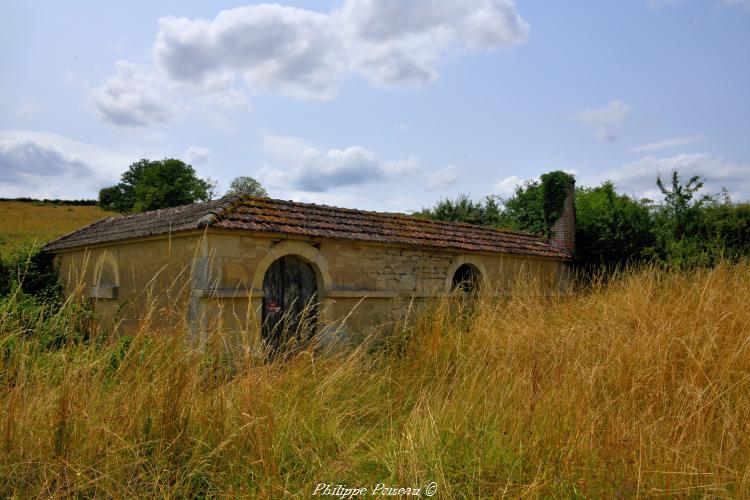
x,y
383,105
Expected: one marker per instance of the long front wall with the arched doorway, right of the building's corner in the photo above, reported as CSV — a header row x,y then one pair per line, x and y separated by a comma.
x,y
386,277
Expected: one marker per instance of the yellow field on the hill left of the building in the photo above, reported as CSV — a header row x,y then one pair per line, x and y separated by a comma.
x,y
41,222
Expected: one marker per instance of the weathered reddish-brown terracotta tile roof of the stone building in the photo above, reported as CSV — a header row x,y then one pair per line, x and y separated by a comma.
x,y
316,221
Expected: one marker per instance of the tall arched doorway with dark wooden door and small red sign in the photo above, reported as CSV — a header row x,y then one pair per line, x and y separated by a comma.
x,y
289,302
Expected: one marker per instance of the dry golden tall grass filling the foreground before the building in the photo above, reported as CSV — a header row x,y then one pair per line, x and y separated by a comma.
x,y
638,387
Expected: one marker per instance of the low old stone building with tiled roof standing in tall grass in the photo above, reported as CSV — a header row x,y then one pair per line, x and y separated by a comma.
x,y
240,262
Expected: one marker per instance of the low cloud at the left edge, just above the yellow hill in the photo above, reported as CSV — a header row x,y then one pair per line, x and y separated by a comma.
x,y
53,166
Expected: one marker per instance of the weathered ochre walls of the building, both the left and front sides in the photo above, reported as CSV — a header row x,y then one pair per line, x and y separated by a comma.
x,y
213,281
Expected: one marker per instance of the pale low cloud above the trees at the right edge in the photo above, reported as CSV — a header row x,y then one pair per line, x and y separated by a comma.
x,y
639,177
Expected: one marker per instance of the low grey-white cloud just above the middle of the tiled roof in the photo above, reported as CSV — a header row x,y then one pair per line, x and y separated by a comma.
x,y
316,171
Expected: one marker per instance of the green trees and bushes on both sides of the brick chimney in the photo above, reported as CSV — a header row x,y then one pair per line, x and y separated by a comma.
x,y
682,230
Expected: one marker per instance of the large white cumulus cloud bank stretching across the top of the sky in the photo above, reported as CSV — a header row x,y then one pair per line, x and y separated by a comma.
x,y
302,53
